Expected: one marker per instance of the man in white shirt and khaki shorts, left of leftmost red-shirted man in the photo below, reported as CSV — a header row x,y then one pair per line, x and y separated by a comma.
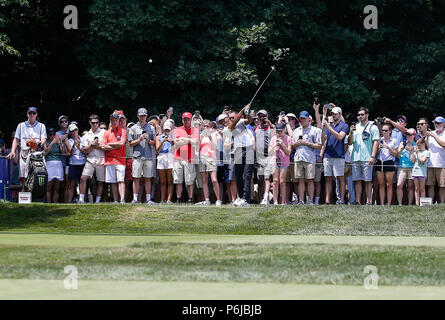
x,y
95,158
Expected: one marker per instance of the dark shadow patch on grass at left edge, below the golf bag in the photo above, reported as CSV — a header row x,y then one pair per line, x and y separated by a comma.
x,y
16,217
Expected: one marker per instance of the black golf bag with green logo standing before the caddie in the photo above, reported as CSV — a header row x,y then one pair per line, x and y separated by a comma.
x,y
37,180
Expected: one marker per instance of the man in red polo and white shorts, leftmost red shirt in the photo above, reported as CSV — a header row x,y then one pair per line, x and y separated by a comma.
x,y
114,145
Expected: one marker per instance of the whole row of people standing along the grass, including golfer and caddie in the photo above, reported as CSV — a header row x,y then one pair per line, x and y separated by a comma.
x,y
241,158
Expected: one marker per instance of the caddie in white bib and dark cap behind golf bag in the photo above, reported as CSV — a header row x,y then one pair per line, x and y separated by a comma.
x,y
27,134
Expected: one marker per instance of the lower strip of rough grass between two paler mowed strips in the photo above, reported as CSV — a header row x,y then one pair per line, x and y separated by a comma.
x,y
263,263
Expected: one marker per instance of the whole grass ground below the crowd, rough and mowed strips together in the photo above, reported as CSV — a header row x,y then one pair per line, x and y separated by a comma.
x,y
188,252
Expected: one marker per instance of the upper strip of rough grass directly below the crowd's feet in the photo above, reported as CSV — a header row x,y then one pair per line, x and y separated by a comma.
x,y
289,220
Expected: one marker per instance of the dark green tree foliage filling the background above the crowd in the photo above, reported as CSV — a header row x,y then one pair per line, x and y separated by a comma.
x,y
206,54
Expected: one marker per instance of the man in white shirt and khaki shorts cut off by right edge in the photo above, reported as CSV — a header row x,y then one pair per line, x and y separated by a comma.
x,y
436,162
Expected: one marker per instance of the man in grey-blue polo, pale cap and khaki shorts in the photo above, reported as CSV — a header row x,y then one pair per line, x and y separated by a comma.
x,y
143,140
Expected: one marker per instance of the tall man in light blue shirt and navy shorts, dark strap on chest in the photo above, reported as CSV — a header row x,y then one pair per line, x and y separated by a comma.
x,y
364,137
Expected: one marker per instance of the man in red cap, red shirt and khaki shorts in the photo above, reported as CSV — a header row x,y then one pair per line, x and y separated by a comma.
x,y
186,141
